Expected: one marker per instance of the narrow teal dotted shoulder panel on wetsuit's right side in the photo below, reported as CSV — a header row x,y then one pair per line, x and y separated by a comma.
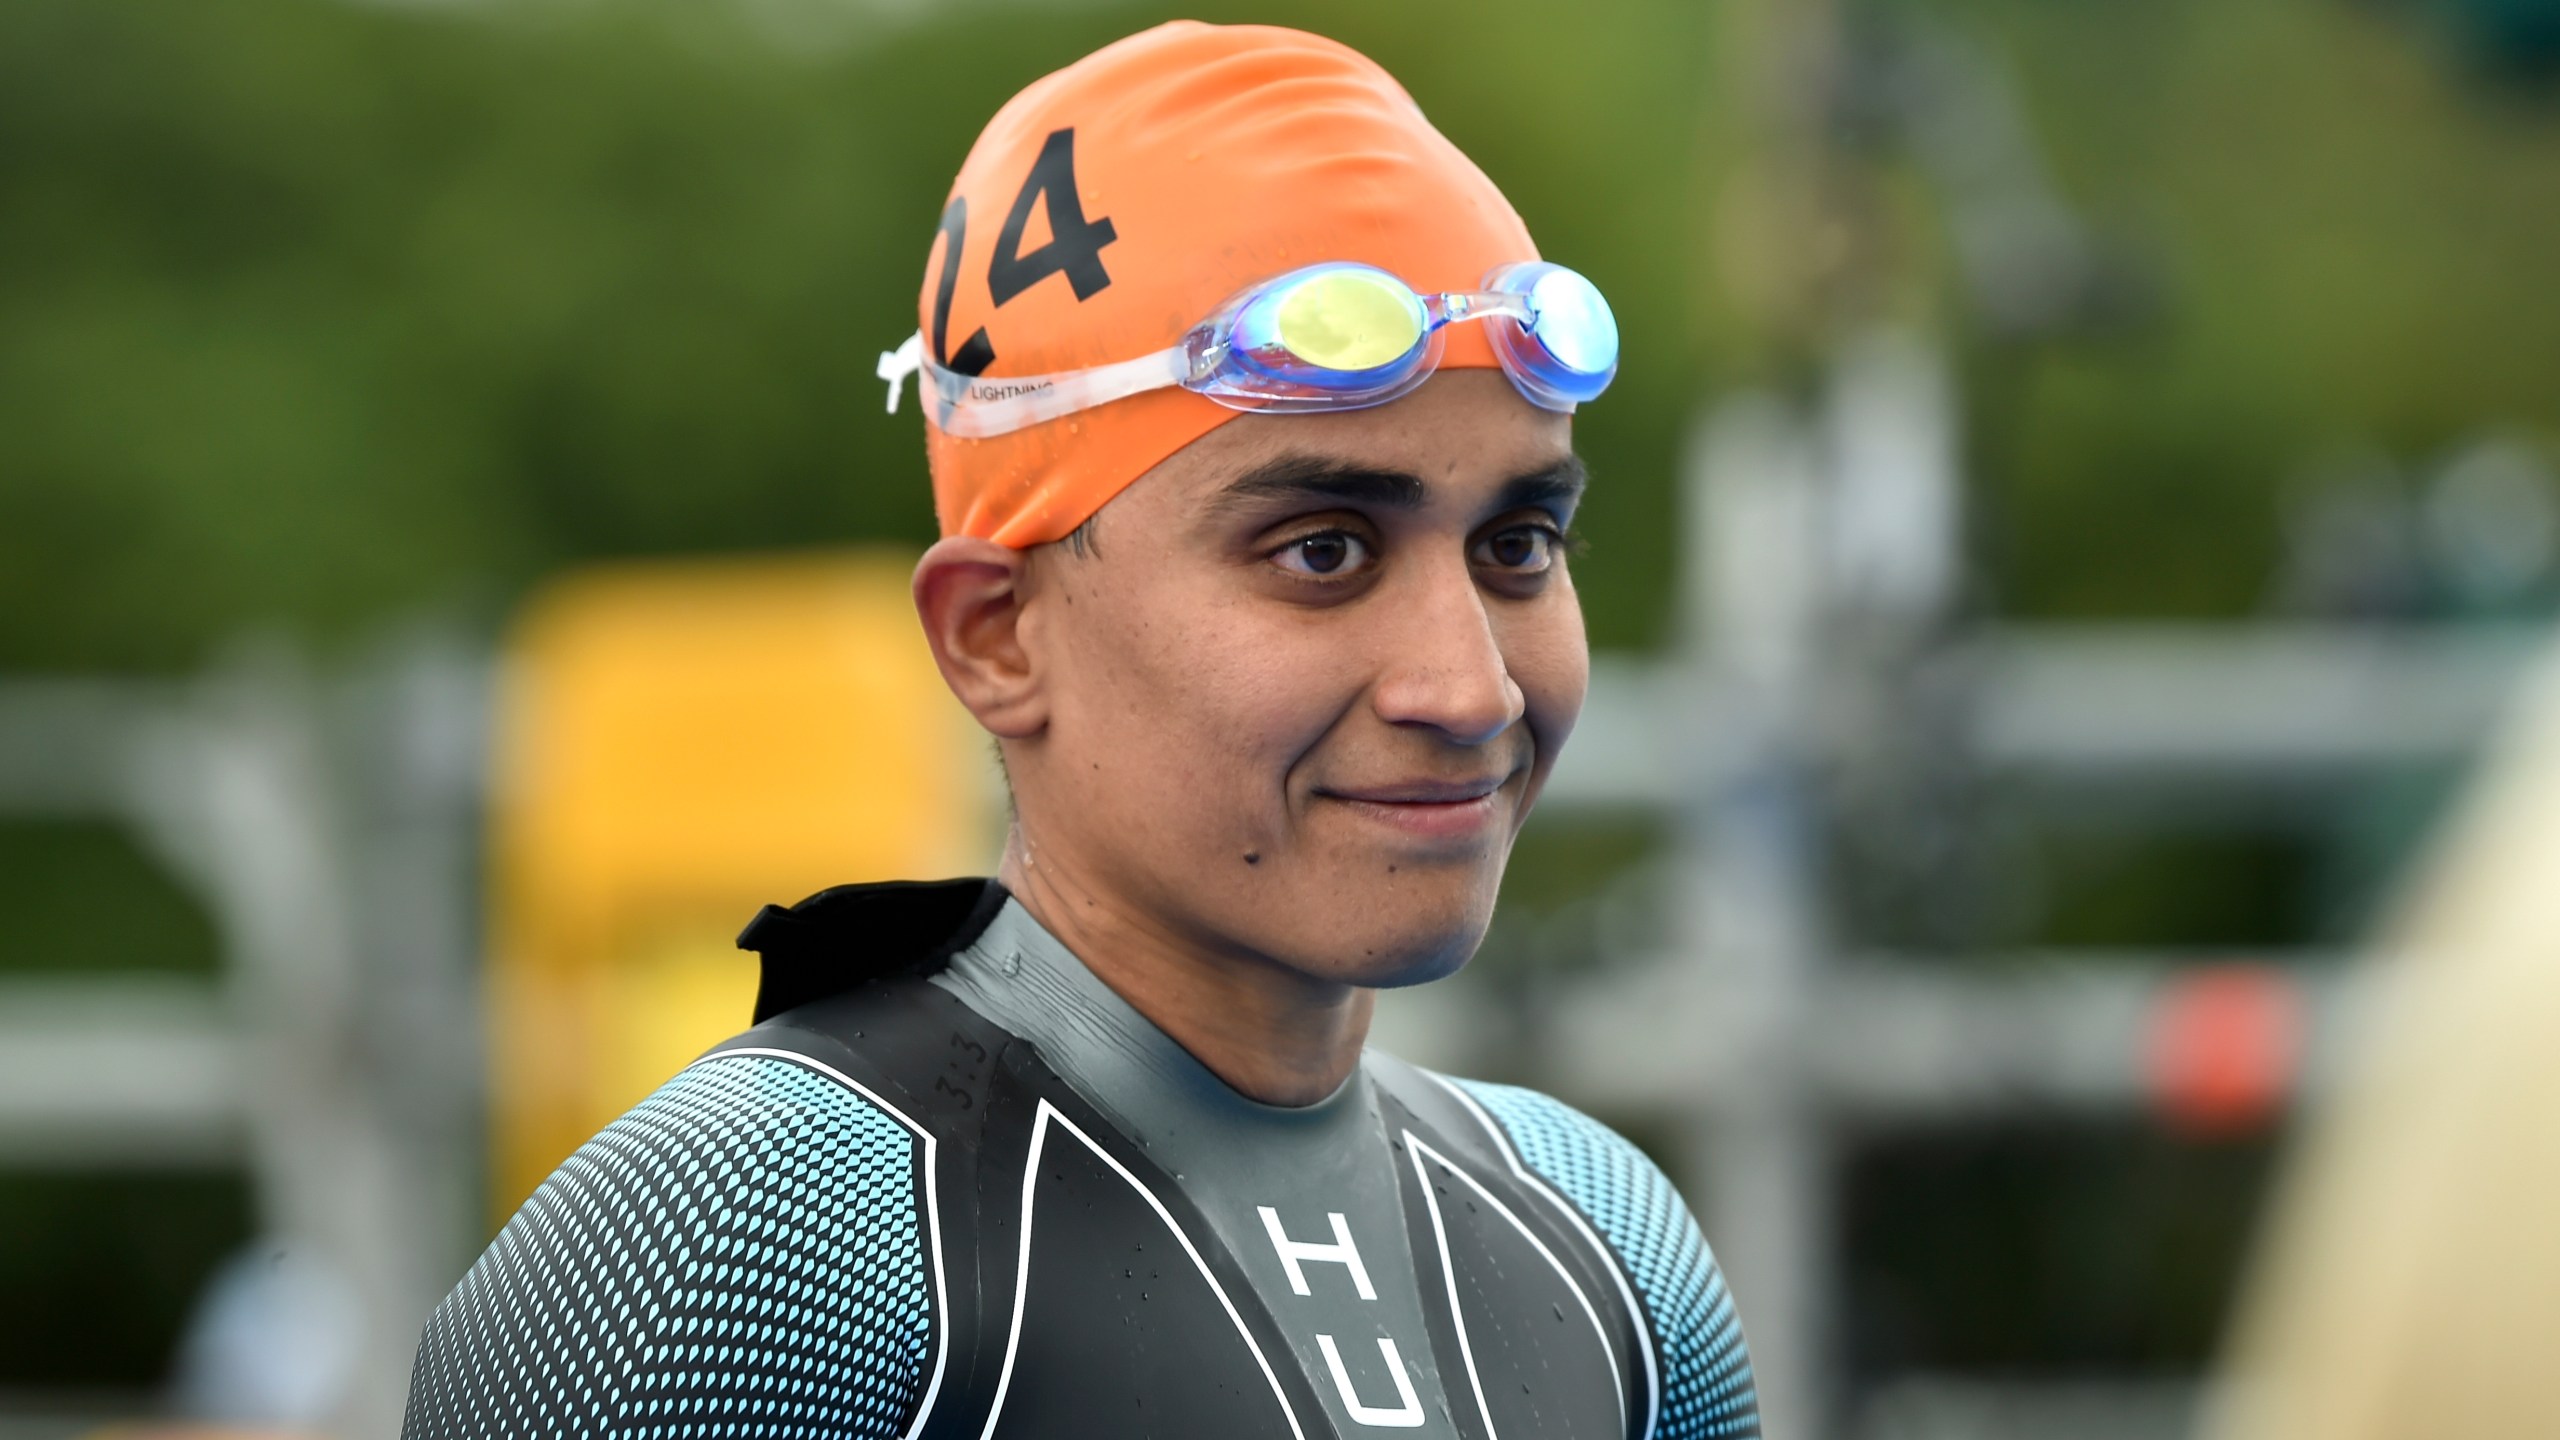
x,y
1706,1372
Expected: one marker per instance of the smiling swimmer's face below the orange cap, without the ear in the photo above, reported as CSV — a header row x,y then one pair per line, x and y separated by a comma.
x,y
1304,688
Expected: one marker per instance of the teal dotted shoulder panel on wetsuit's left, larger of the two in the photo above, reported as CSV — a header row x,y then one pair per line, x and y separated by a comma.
x,y
739,1257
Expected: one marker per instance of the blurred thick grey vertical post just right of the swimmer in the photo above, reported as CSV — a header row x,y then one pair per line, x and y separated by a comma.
x,y
1750,919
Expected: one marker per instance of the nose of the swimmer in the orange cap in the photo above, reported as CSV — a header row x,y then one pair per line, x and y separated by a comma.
x,y
1445,665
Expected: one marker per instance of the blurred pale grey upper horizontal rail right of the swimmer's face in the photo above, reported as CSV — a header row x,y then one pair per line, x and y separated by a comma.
x,y
2175,719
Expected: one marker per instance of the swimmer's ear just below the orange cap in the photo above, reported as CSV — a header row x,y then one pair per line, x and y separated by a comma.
x,y
969,598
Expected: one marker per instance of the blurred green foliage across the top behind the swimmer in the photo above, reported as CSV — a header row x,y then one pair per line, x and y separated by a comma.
x,y
319,311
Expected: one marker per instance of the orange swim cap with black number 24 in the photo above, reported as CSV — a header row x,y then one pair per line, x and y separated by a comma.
x,y
1120,201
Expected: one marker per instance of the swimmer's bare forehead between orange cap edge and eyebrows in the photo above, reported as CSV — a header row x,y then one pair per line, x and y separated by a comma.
x,y
1463,434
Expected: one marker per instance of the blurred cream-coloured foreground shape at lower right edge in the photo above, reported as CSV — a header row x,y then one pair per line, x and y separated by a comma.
x,y
2410,1282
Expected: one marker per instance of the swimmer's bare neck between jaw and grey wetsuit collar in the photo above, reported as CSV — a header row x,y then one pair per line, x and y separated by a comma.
x,y
1271,1034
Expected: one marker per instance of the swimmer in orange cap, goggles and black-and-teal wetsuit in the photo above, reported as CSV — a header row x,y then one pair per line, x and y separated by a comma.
x,y
1248,409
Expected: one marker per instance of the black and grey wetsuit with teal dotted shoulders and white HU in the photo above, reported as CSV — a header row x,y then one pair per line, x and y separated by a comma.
x,y
954,1188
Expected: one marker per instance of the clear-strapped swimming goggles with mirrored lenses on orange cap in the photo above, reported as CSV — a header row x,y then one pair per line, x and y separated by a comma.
x,y
1330,337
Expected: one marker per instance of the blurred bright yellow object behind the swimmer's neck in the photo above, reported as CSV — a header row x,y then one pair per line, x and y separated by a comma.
x,y
680,744
